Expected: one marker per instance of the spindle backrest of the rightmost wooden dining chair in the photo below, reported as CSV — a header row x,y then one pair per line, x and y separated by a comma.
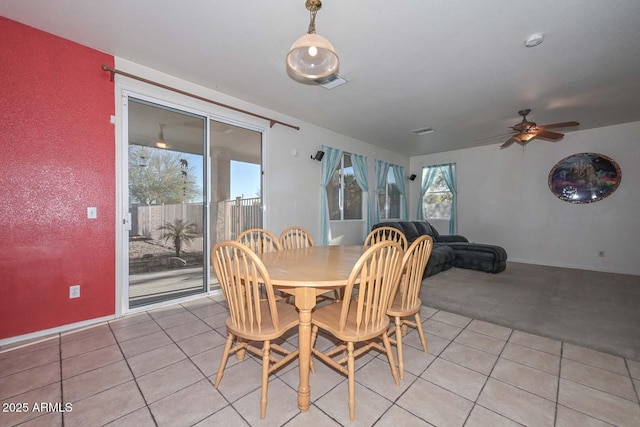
x,y
413,264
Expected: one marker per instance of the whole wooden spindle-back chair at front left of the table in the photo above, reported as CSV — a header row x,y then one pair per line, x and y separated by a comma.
x,y
251,318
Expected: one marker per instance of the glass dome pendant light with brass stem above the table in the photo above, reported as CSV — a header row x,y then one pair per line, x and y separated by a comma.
x,y
312,56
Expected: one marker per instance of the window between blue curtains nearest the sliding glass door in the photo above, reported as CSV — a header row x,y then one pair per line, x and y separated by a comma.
x,y
343,193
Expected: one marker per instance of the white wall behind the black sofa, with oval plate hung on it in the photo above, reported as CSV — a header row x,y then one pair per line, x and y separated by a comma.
x,y
504,199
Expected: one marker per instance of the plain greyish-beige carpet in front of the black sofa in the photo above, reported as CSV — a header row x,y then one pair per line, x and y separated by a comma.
x,y
593,309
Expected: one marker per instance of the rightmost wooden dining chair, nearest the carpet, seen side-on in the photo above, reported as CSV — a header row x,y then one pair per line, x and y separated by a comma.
x,y
406,302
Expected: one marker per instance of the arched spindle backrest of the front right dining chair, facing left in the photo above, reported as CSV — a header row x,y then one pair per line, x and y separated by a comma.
x,y
376,273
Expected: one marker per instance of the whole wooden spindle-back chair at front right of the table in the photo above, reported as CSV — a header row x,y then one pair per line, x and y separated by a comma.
x,y
363,319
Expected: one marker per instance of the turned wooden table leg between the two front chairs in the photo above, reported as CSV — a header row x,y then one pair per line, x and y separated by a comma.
x,y
305,301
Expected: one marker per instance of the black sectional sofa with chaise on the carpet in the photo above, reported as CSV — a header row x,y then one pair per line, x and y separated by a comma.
x,y
452,250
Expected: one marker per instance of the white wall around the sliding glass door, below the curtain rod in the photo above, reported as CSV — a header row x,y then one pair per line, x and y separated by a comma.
x,y
292,178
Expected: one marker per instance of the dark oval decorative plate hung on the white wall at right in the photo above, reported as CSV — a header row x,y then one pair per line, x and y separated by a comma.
x,y
584,178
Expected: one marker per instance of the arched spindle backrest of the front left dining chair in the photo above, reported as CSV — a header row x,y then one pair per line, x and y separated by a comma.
x,y
241,275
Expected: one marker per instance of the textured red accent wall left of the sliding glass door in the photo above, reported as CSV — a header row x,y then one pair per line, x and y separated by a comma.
x,y
57,157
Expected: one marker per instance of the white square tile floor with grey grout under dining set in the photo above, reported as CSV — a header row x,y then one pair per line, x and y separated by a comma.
x,y
157,368
